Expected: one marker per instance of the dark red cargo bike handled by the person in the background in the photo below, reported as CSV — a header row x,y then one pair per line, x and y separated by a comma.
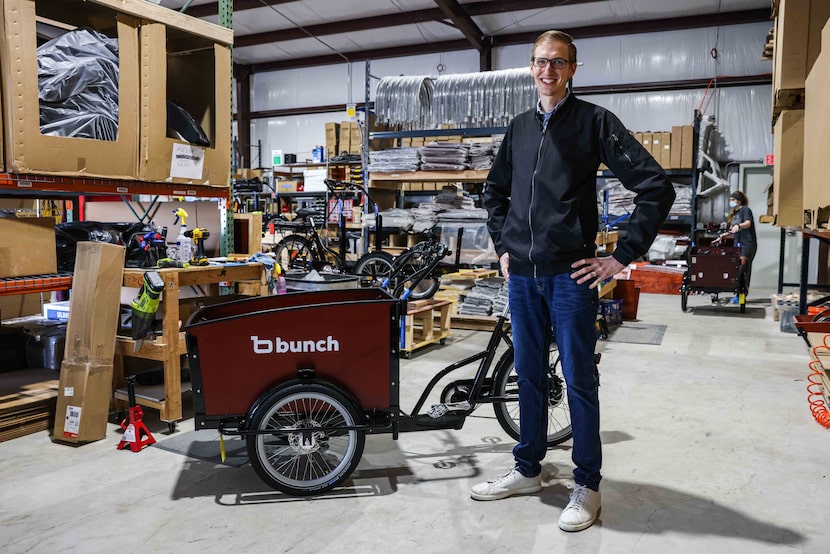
x,y
714,269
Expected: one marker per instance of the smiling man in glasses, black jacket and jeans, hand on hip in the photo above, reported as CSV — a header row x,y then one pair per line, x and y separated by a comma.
x,y
543,219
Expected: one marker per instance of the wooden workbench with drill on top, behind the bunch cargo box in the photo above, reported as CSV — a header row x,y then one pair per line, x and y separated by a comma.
x,y
169,347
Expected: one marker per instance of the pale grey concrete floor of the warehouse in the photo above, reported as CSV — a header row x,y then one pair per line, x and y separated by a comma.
x,y
709,446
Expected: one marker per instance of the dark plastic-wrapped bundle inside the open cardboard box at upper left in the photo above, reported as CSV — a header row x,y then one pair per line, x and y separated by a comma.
x,y
78,85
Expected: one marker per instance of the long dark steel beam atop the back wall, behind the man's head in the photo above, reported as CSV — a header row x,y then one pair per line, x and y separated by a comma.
x,y
615,29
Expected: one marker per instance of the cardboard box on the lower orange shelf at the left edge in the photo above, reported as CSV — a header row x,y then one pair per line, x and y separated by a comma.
x,y
27,246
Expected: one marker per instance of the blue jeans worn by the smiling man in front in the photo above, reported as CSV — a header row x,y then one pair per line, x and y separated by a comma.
x,y
537,307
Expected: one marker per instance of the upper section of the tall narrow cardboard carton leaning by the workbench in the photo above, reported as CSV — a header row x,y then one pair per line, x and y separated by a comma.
x,y
95,302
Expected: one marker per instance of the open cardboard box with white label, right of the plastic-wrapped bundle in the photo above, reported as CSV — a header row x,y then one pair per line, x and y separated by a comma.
x,y
179,65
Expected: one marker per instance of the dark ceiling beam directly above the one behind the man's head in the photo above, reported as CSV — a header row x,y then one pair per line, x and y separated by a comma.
x,y
387,20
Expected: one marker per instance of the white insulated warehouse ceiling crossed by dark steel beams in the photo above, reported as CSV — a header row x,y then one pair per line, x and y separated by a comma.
x,y
334,24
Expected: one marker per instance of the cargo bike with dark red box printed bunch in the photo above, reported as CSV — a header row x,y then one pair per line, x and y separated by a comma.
x,y
303,377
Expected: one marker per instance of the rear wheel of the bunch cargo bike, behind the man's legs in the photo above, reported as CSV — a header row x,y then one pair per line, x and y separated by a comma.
x,y
506,385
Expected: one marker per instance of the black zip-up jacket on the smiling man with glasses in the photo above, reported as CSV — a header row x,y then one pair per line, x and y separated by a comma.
x,y
541,191
